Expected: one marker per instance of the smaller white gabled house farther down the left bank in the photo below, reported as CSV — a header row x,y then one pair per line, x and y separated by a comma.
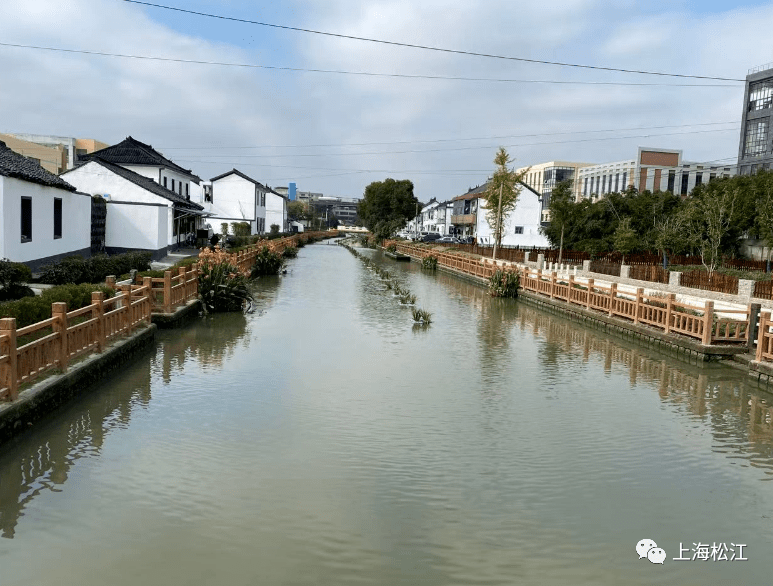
x,y
236,197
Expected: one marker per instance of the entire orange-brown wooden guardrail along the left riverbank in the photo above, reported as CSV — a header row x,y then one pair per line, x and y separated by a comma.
x,y
28,352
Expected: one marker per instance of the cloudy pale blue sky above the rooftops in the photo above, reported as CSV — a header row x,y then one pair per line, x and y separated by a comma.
x,y
336,132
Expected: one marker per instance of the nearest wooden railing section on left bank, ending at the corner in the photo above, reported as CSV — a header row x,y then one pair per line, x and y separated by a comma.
x,y
28,352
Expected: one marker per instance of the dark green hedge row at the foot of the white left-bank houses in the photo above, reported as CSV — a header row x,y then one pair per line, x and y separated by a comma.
x,y
75,269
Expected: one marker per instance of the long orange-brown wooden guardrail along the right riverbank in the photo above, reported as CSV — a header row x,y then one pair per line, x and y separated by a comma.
x,y
662,312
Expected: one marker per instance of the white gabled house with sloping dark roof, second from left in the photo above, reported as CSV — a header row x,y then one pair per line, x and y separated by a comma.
x,y
141,214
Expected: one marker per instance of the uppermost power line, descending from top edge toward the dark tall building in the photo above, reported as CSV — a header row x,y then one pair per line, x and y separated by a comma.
x,y
427,47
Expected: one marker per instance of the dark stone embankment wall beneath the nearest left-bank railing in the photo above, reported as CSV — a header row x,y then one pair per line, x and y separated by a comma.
x,y
51,394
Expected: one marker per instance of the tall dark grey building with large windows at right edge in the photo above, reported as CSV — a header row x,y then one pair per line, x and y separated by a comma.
x,y
755,149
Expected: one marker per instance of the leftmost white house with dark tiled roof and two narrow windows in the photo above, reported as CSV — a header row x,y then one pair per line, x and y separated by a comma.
x,y
43,218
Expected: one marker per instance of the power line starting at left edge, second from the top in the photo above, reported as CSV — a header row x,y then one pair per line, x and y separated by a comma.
x,y
360,73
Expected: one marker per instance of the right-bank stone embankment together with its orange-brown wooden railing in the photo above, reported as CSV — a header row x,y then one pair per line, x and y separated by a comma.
x,y
700,325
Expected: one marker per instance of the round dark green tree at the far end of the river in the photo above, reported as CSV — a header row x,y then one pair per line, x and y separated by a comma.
x,y
386,206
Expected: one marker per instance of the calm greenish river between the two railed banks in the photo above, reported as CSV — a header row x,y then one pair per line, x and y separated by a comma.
x,y
324,439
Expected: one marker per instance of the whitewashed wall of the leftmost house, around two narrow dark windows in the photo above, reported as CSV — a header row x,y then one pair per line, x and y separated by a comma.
x,y
76,222
